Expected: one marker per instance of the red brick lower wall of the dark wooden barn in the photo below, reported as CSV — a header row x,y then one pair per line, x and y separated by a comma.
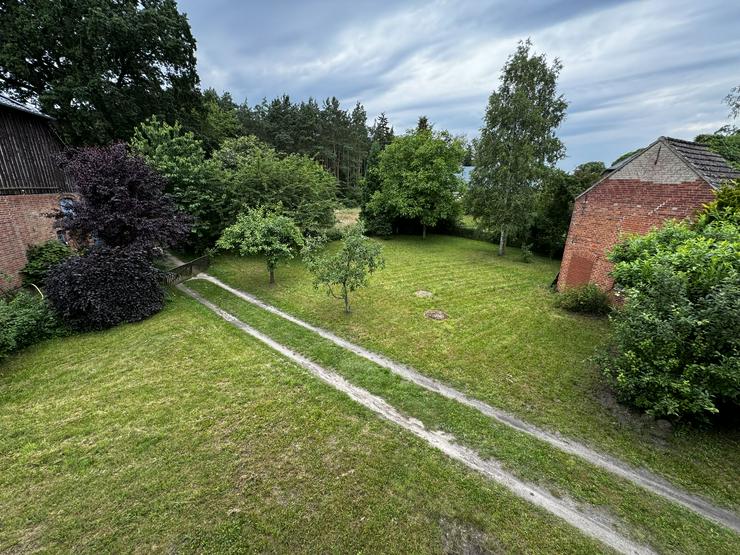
x,y
23,222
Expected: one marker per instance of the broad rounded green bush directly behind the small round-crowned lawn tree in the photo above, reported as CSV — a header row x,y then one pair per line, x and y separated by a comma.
x,y
258,176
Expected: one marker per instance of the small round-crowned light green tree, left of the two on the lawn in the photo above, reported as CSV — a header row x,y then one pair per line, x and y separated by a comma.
x,y
258,231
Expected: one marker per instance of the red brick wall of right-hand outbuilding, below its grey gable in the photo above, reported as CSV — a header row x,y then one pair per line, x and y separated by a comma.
x,y
615,207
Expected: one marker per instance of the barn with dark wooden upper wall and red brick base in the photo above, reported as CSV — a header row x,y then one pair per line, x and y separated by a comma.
x,y
31,184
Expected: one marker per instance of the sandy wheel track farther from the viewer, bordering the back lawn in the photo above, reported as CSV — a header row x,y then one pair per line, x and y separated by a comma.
x,y
640,477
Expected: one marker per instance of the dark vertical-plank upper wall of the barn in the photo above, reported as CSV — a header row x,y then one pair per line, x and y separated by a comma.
x,y
27,155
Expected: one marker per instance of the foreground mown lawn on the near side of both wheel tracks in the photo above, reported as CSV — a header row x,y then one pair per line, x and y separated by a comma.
x,y
181,434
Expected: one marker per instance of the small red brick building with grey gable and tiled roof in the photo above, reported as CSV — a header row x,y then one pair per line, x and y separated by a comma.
x,y
670,179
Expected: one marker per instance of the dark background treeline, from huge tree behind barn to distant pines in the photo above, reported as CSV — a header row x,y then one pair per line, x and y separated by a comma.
x,y
138,61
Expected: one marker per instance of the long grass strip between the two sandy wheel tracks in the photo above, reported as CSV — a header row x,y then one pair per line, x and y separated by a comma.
x,y
645,517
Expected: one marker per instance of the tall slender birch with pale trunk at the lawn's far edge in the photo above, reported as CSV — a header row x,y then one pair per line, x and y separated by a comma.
x,y
517,143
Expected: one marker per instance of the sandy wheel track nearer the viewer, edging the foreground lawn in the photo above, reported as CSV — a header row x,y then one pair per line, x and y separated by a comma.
x,y
562,508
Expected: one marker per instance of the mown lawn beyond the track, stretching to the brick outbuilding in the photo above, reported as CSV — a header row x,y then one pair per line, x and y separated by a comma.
x,y
505,343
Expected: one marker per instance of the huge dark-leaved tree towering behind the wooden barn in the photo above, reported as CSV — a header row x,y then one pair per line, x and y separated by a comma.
x,y
99,67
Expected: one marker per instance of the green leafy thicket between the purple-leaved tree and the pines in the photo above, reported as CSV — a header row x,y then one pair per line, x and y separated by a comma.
x,y
243,173
